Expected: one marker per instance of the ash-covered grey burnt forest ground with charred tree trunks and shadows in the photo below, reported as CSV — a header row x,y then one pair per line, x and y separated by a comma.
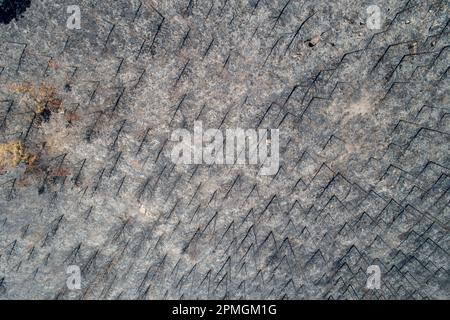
x,y
86,176
